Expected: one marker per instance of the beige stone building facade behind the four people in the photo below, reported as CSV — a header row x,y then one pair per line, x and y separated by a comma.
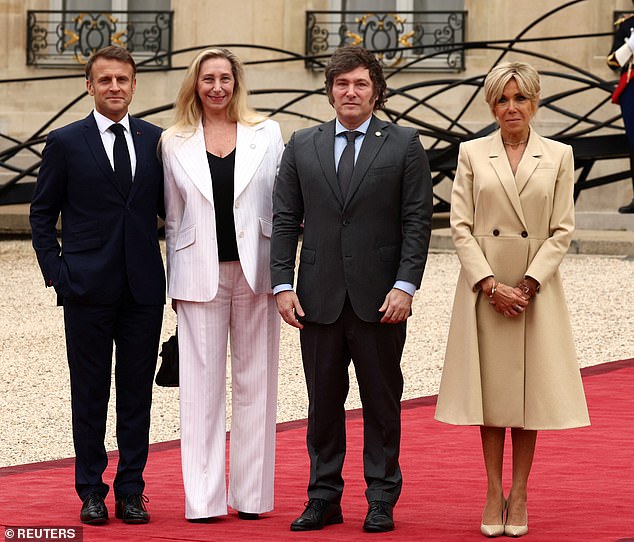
x,y
436,81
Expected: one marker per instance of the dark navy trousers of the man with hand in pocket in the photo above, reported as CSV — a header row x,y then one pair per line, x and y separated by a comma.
x,y
91,331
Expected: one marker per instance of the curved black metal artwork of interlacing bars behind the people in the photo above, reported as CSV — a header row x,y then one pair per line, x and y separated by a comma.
x,y
595,130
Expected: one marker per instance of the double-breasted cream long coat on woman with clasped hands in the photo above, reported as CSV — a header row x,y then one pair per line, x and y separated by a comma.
x,y
519,372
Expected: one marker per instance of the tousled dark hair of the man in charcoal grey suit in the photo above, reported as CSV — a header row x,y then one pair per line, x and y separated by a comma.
x,y
346,59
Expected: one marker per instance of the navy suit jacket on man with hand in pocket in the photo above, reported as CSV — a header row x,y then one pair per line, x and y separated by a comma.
x,y
107,239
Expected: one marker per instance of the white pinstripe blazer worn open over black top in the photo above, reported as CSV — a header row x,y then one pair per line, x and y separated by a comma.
x,y
190,223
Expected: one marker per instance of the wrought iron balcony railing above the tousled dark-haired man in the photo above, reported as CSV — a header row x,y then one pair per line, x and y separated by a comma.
x,y
407,35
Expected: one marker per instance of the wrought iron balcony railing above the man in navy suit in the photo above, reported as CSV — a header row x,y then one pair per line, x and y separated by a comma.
x,y
67,38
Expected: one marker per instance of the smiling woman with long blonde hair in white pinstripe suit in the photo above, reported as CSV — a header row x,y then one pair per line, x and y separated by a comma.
x,y
220,161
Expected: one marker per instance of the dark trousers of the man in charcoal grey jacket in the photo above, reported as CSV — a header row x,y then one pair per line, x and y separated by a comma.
x,y
375,350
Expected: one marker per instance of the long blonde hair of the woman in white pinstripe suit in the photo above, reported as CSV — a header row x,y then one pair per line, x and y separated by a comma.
x,y
188,109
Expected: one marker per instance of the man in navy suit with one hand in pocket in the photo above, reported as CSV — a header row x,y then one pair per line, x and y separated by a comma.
x,y
107,185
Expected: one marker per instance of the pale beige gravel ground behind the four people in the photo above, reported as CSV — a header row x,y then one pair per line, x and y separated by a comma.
x,y
34,389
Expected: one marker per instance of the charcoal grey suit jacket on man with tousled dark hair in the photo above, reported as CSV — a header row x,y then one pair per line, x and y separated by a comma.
x,y
360,246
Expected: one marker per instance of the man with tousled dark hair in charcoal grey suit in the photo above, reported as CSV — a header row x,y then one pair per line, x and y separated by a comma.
x,y
362,189
